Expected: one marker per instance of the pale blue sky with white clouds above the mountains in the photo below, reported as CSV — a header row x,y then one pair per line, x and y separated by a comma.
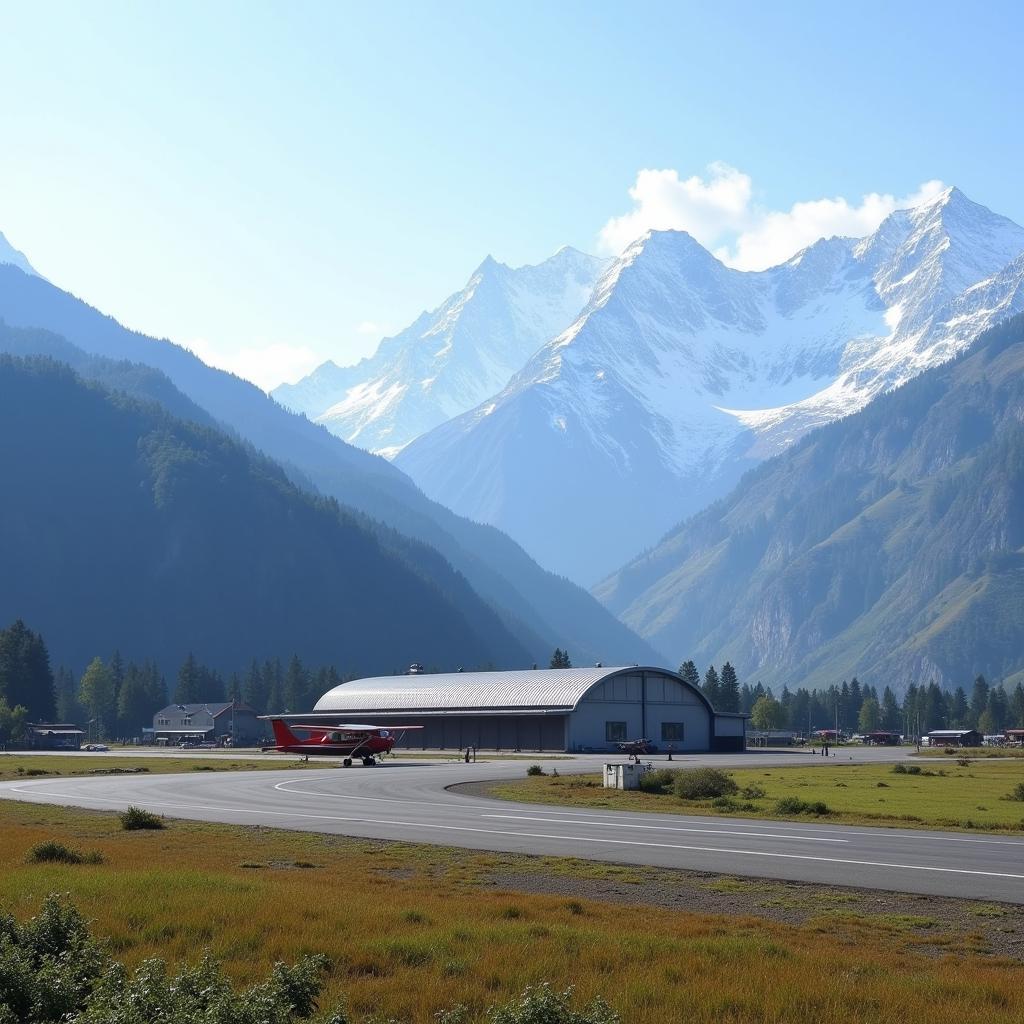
x,y
277,185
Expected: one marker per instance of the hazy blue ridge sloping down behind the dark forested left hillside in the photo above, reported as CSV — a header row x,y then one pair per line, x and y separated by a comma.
x,y
542,610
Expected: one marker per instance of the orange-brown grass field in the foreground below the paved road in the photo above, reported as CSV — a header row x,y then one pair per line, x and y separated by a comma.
x,y
413,930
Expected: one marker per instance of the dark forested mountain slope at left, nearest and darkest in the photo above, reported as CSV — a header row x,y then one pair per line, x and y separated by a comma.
x,y
123,528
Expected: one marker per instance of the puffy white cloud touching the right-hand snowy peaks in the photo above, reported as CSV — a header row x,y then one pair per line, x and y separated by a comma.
x,y
720,214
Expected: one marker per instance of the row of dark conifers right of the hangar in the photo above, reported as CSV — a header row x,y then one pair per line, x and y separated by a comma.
x,y
854,707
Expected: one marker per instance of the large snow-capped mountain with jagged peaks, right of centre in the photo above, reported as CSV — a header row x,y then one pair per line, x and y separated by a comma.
x,y
682,373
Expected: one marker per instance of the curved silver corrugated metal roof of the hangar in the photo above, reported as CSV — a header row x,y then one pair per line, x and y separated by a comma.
x,y
533,689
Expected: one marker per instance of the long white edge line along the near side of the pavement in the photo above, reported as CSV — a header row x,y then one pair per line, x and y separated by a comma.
x,y
564,839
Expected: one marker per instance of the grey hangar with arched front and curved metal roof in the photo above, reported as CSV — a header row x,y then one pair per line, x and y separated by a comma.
x,y
572,710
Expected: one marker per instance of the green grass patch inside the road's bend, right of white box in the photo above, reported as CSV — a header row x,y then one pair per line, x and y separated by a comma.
x,y
938,796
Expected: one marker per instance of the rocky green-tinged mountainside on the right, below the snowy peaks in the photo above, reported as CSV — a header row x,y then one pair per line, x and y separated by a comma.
x,y
888,546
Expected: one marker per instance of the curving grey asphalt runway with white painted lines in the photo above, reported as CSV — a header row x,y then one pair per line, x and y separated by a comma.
x,y
410,801
